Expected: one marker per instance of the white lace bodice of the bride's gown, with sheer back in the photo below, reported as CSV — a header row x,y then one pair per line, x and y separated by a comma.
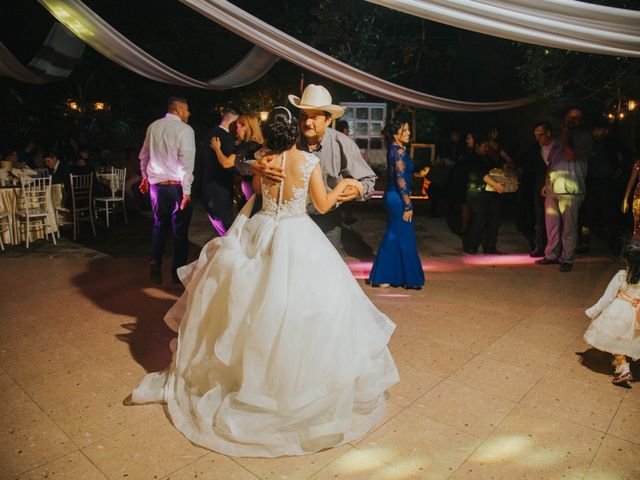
x,y
296,205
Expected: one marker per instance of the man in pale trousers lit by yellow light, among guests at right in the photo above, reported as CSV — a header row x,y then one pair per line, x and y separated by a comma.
x,y
565,188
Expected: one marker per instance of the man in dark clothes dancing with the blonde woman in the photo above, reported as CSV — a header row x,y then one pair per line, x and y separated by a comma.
x,y
217,176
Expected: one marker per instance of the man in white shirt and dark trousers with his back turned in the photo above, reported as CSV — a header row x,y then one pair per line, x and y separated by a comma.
x,y
166,165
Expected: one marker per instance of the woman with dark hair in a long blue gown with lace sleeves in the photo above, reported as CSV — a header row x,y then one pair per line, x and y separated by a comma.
x,y
397,262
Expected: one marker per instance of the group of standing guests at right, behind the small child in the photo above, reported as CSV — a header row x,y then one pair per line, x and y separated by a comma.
x,y
571,182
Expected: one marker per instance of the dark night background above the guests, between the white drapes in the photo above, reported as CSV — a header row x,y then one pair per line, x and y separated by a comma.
x,y
422,55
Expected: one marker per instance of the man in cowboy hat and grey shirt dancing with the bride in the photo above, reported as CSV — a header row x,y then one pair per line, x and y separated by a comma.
x,y
339,155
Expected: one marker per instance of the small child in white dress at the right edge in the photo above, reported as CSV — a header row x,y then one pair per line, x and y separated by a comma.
x,y
616,324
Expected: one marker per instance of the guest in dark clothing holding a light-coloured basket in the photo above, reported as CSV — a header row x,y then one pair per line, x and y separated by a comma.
x,y
484,205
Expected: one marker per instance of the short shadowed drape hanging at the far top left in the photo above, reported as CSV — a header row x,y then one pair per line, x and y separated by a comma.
x,y
54,61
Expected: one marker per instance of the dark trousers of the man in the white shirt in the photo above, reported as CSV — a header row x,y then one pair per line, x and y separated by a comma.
x,y
167,216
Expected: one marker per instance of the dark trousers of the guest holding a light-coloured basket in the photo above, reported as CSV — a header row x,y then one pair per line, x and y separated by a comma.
x,y
484,221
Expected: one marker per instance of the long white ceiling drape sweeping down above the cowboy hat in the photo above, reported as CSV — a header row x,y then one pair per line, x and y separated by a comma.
x,y
264,35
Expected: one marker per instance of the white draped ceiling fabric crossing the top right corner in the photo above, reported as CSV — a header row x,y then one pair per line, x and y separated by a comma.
x,y
566,24
